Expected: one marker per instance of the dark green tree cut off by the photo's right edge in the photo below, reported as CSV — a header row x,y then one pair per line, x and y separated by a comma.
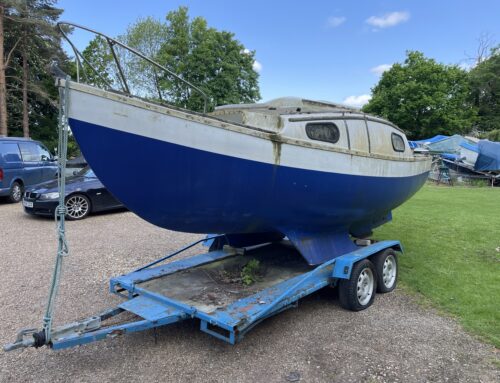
x,y
485,91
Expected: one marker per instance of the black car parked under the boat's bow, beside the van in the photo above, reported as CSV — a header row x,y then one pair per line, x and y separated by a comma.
x,y
85,194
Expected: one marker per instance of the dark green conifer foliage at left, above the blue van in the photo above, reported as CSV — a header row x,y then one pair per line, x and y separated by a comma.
x,y
31,24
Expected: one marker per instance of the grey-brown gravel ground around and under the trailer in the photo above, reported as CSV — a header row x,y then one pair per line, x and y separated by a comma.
x,y
396,340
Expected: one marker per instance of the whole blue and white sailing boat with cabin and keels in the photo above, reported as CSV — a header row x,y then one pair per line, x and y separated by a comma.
x,y
315,172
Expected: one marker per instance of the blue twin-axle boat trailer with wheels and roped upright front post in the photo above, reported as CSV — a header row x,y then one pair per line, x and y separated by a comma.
x,y
209,287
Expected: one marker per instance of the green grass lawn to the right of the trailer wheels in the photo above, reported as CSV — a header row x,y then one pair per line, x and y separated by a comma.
x,y
451,237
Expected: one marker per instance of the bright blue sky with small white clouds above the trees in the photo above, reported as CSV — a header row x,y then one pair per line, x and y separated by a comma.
x,y
323,50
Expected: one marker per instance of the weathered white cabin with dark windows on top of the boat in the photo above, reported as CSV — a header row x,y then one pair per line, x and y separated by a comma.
x,y
318,122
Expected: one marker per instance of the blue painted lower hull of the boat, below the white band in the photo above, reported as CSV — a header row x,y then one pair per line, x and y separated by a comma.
x,y
190,190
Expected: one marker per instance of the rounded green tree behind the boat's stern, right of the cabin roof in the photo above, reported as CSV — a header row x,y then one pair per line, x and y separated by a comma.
x,y
424,97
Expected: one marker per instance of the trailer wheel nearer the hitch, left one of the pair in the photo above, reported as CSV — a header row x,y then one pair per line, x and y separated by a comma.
x,y
358,292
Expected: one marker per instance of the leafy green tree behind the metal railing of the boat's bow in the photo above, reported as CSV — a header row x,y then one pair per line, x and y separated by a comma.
x,y
211,60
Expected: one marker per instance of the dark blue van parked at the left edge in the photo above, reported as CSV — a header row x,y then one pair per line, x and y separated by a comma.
x,y
23,162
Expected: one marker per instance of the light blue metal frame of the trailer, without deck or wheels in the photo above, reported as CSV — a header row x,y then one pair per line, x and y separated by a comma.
x,y
229,323
